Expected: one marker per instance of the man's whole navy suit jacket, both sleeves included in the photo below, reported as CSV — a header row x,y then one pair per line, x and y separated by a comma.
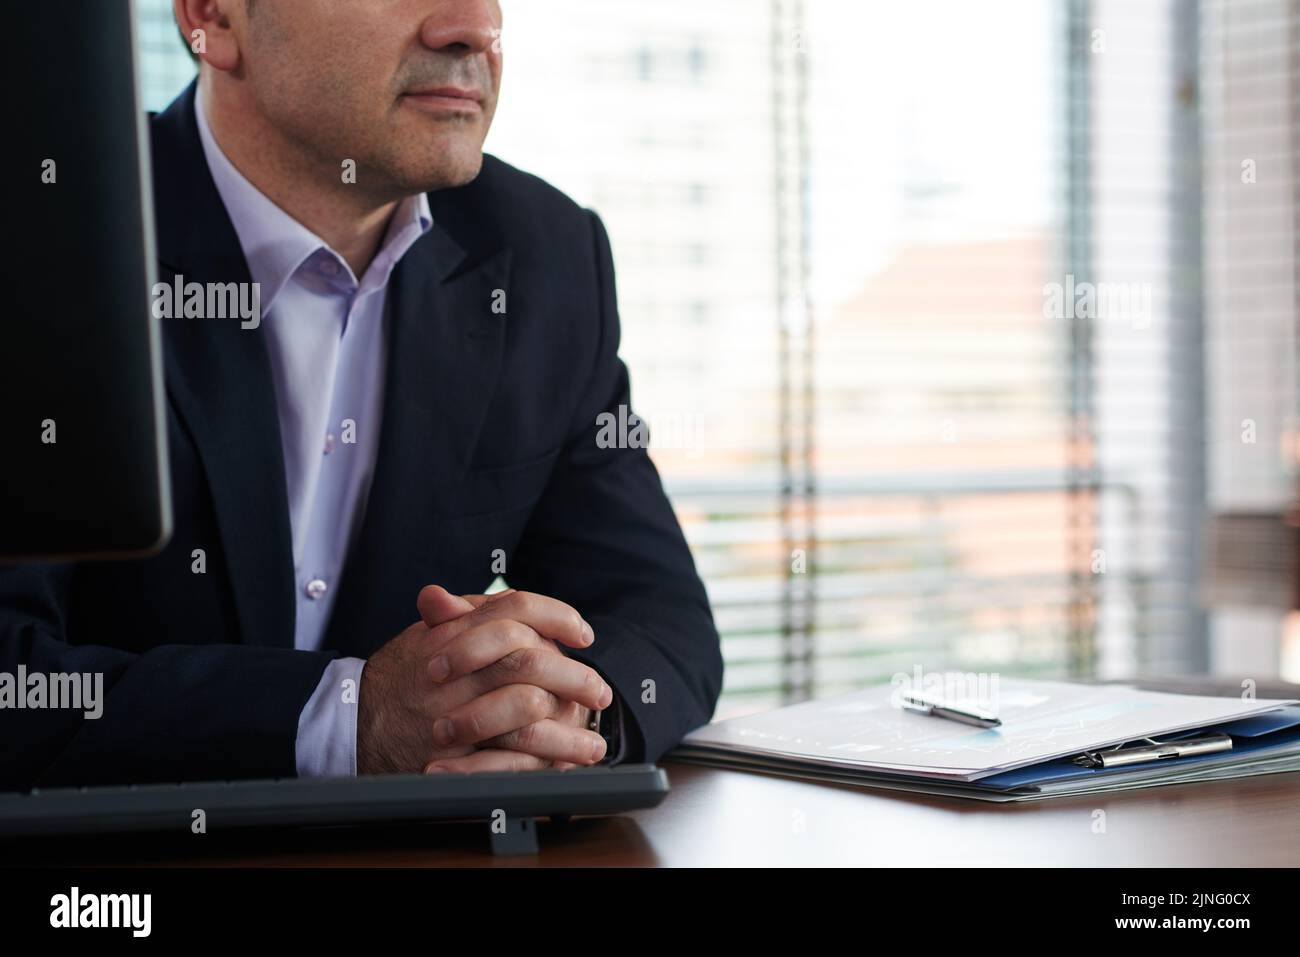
x,y
488,443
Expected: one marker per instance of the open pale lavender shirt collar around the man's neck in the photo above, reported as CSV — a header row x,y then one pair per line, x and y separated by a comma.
x,y
276,245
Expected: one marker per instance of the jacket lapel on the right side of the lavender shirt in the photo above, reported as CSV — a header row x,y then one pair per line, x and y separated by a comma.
x,y
445,354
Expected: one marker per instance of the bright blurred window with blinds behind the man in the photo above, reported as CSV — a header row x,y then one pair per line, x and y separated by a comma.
x,y
946,317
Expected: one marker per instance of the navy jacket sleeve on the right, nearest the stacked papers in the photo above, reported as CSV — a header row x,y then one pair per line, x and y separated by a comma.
x,y
605,539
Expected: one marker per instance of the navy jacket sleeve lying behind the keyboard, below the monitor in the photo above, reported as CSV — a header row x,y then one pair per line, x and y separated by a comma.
x,y
170,714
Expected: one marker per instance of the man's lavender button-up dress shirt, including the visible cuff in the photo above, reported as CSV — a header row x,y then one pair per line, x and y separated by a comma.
x,y
328,344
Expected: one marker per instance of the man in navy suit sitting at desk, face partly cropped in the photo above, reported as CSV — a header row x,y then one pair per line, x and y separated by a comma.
x,y
415,409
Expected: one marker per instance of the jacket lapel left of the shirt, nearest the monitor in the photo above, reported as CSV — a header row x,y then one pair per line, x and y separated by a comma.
x,y
220,383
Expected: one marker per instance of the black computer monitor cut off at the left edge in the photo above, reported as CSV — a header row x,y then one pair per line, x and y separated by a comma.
x,y
83,458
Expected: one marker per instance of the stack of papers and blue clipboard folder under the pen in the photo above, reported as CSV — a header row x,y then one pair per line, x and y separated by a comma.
x,y
868,739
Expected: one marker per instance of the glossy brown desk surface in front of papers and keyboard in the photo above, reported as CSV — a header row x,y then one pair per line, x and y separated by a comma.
x,y
734,819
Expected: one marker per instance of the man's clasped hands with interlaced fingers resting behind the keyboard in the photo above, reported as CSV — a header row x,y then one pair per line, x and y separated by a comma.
x,y
480,685
